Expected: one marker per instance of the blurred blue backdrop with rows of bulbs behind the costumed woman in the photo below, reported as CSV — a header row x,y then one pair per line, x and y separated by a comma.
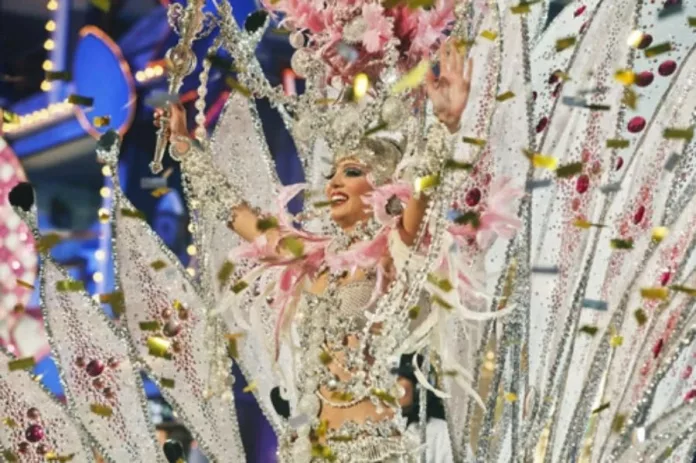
x,y
110,51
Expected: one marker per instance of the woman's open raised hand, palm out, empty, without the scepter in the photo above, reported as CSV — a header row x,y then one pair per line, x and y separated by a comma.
x,y
449,92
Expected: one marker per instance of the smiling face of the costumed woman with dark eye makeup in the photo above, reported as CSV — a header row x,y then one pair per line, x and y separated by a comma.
x,y
347,184
